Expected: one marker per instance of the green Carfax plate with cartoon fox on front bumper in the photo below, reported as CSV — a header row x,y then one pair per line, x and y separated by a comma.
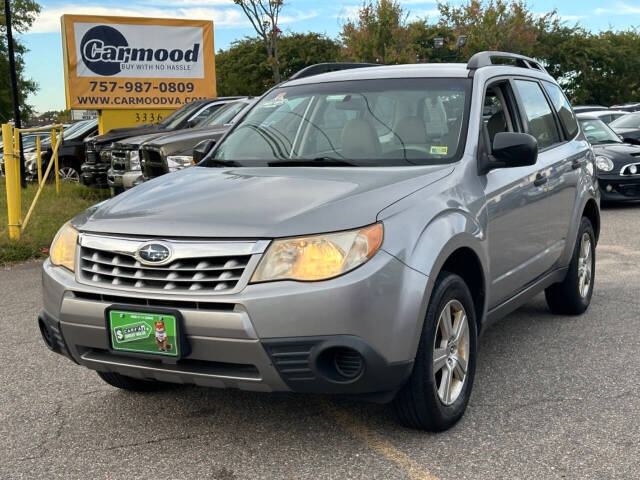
x,y
153,333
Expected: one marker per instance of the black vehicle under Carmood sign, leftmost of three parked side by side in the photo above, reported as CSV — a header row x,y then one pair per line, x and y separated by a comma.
x,y
98,156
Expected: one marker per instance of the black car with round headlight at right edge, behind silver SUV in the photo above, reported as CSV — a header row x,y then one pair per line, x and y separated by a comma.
x,y
617,163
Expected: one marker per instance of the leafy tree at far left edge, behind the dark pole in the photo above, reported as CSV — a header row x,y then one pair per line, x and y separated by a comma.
x,y
23,14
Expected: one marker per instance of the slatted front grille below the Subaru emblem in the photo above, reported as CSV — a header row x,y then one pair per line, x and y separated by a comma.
x,y
203,274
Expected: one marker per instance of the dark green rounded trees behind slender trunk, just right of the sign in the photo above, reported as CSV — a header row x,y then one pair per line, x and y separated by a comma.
x,y
243,69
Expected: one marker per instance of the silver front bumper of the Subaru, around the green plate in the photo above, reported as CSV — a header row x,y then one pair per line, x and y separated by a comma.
x,y
267,337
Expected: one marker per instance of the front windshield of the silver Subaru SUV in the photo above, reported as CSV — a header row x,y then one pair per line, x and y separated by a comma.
x,y
385,122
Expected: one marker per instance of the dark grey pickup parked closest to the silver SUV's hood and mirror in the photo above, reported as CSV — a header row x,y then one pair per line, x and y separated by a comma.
x,y
174,152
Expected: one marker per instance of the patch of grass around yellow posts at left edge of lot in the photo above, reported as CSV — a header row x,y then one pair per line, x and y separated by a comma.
x,y
50,213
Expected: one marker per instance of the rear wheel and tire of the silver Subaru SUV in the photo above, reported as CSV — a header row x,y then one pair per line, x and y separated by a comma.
x,y
573,295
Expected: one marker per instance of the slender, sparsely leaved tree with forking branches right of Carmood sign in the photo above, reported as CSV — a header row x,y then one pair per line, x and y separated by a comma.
x,y
264,15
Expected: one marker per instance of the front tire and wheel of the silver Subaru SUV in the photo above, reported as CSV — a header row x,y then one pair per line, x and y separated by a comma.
x,y
437,393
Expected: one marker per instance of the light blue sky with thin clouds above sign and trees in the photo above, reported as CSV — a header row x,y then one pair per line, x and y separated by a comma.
x,y
44,59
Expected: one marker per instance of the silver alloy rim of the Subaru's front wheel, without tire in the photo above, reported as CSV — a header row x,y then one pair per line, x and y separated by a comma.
x,y
451,352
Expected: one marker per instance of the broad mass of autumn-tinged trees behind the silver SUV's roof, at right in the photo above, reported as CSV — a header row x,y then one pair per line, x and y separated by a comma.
x,y
593,68
